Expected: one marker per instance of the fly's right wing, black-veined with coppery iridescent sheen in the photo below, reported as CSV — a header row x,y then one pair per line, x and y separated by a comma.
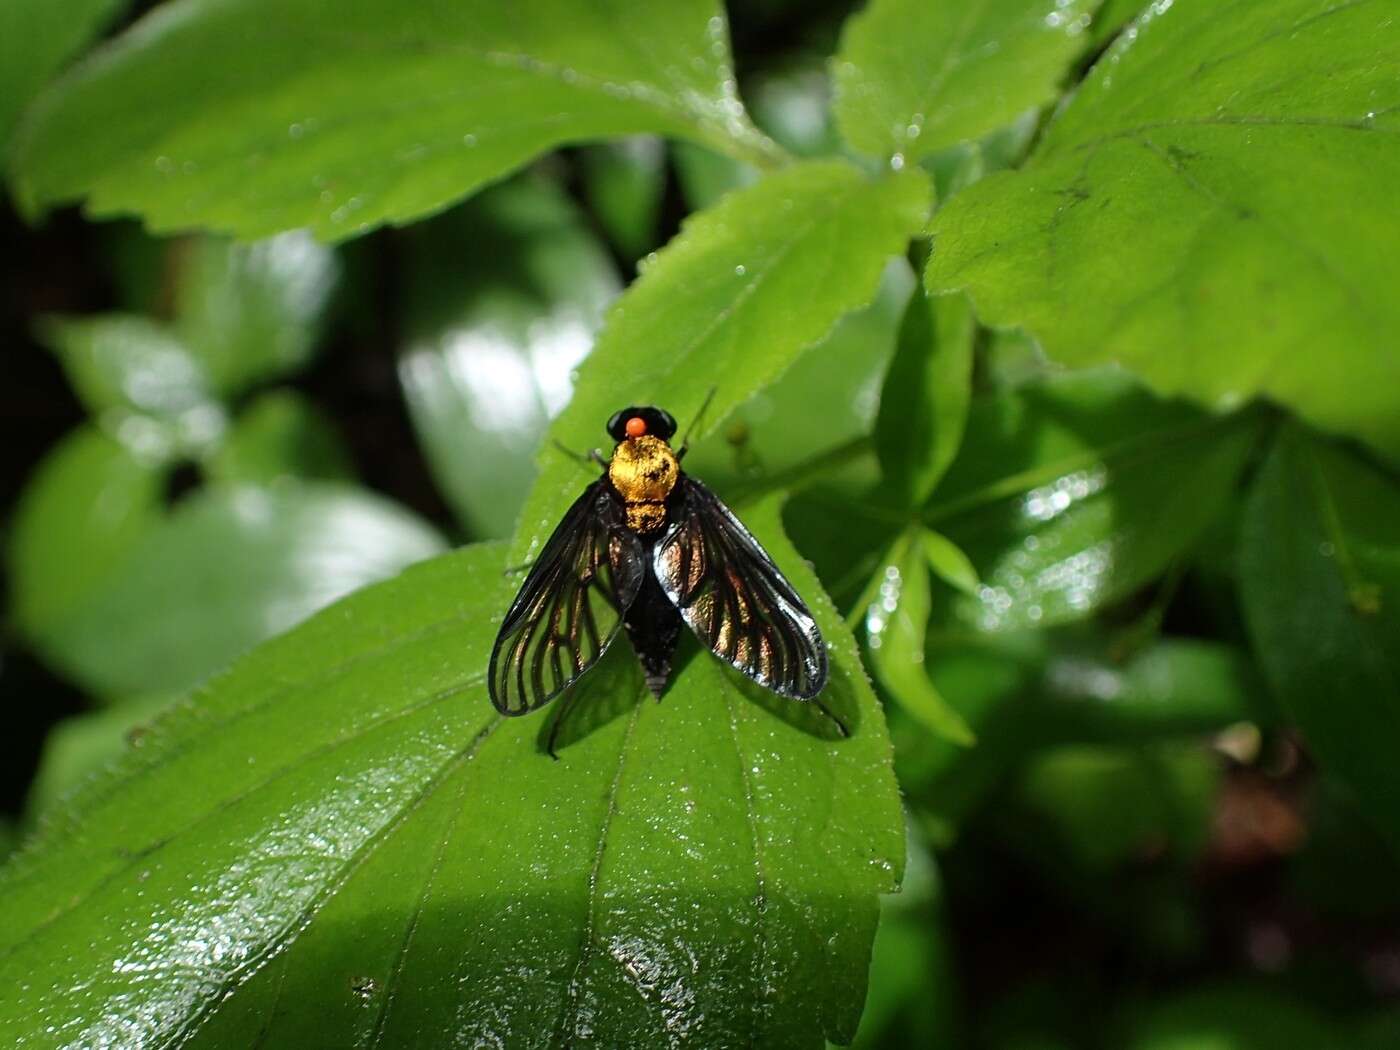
x,y
734,598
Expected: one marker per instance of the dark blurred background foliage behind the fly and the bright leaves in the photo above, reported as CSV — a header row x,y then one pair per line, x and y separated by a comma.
x,y
1119,832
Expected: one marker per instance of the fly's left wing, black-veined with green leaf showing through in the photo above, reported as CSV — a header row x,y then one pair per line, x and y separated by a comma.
x,y
570,607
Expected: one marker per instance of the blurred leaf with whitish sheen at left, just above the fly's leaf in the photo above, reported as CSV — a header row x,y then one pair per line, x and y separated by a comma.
x,y
229,568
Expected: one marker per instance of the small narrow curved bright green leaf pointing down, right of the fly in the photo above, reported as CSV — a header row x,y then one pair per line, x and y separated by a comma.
x,y
897,628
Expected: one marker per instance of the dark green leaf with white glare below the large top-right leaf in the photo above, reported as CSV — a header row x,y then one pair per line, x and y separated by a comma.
x,y
1059,495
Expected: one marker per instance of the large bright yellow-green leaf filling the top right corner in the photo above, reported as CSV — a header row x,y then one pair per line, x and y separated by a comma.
x,y
1212,211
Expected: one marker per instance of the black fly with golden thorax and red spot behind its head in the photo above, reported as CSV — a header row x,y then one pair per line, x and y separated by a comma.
x,y
649,548
